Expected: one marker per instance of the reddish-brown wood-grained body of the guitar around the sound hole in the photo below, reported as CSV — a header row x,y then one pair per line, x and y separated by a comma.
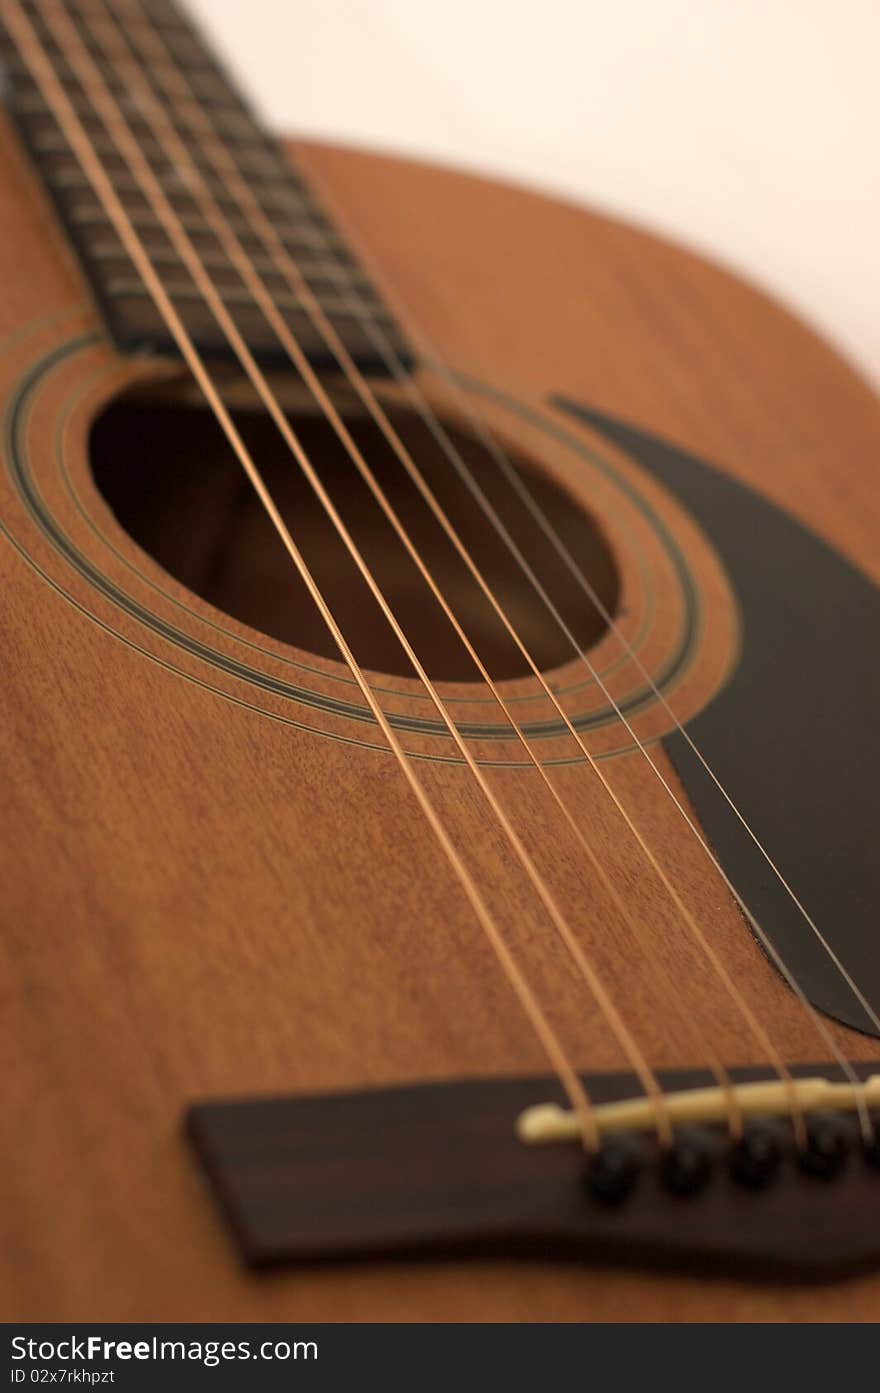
x,y
218,887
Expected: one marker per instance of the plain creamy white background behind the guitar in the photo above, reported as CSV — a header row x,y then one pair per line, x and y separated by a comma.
x,y
748,129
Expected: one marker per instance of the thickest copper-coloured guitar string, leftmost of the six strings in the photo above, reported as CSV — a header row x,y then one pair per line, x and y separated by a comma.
x,y
44,75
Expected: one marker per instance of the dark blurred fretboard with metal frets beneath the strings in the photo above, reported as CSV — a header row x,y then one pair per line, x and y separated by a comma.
x,y
310,239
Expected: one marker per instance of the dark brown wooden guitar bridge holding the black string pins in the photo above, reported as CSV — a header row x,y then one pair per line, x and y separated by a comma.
x,y
439,1171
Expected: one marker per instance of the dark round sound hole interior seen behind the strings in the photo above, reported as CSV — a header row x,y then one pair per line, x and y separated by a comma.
x,y
176,488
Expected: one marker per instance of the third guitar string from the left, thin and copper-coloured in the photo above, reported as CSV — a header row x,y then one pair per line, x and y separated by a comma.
x,y
246,268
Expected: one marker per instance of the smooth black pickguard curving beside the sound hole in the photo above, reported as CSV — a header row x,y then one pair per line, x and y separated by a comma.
x,y
793,736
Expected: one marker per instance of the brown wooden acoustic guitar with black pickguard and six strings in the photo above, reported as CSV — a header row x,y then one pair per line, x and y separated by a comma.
x,y
441,745
